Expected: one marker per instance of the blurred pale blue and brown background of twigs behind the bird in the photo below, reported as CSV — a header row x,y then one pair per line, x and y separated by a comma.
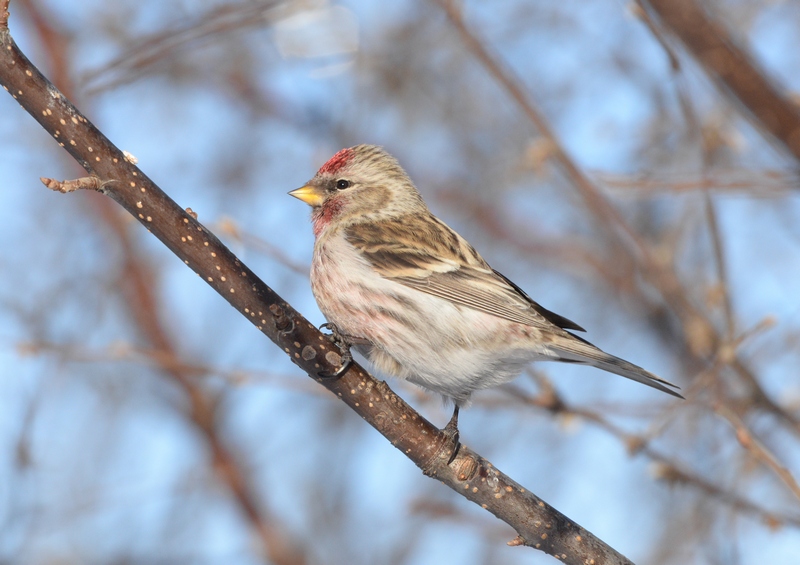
x,y
143,420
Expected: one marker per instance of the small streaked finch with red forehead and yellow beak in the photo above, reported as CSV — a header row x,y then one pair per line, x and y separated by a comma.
x,y
416,299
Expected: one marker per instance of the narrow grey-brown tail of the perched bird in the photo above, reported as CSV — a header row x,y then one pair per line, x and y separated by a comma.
x,y
578,350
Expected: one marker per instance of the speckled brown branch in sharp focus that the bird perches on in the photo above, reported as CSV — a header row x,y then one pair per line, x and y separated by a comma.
x,y
116,175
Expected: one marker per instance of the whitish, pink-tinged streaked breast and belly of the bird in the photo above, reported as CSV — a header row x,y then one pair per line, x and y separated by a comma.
x,y
446,348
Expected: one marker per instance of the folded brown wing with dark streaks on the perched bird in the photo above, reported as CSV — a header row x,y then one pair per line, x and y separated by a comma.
x,y
425,254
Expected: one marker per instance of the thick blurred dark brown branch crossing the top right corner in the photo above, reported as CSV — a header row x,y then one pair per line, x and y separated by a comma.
x,y
732,68
